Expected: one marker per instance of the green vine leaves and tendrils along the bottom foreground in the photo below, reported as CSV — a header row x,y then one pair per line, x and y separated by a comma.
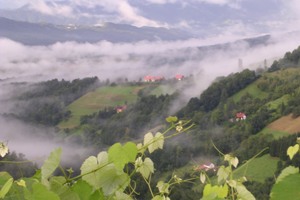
x,y
110,174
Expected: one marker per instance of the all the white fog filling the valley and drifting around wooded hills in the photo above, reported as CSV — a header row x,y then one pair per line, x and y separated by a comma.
x,y
107,60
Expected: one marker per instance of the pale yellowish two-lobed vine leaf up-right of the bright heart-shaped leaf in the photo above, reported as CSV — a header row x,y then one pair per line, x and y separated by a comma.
x,y
154,142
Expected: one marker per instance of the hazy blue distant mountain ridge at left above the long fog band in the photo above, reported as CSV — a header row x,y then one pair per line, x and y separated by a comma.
x,y
47,34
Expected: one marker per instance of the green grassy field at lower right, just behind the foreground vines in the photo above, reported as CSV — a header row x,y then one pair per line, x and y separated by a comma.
x,y
259,169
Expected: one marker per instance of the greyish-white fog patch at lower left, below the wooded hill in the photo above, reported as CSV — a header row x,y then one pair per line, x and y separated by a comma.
x,y
36,143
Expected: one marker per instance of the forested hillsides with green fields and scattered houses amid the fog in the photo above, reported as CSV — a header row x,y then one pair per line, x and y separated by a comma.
x,y
240,114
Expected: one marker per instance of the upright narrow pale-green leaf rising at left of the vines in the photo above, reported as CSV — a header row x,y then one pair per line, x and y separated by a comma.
x,y
50,165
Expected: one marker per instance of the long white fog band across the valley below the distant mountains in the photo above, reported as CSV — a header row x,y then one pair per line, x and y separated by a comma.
x,y
133,61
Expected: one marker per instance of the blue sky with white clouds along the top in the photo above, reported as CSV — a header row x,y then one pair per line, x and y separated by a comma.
x,y
241,15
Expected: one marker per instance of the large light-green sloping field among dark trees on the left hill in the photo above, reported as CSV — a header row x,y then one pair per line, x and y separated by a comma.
x,y
100,98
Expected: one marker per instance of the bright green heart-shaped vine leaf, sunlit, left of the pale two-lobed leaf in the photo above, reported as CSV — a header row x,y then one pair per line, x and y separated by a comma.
x,y
121,155
